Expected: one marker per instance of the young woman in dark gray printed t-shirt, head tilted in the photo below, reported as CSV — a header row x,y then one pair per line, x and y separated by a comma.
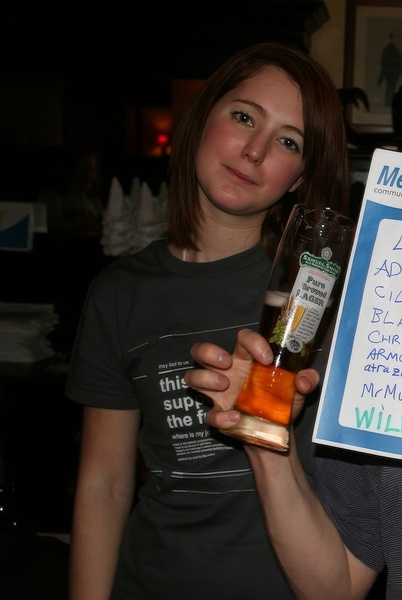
x,y
265,130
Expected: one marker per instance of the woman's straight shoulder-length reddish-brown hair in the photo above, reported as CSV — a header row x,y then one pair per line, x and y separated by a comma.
x,y
326,176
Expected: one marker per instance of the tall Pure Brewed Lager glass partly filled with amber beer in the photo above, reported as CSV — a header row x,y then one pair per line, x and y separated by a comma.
x,y
305,280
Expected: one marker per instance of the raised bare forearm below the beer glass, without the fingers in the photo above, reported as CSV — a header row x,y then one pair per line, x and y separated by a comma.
x,y
307,543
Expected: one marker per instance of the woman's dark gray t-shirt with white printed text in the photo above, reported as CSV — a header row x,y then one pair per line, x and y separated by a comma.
x,y
196,531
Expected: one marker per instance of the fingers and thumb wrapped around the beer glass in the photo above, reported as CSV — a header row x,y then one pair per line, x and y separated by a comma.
x,y
223,375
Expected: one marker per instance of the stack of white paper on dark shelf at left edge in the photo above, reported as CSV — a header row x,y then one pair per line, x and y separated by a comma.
x,y
24,330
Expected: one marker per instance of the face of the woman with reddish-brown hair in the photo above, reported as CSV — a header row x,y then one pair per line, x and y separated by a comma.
x,y
250,152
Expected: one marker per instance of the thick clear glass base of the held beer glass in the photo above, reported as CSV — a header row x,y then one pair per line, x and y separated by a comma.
x,y
260,432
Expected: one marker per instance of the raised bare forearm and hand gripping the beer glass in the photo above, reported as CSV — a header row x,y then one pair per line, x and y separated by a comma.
x,y
307,543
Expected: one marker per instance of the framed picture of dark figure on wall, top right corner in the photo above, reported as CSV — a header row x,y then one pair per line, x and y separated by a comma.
x,y
373,59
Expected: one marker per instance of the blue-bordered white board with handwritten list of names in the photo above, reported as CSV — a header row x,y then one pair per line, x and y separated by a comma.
x,y
361,400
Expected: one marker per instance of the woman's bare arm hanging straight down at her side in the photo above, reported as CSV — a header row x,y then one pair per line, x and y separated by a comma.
x,y
103,499
